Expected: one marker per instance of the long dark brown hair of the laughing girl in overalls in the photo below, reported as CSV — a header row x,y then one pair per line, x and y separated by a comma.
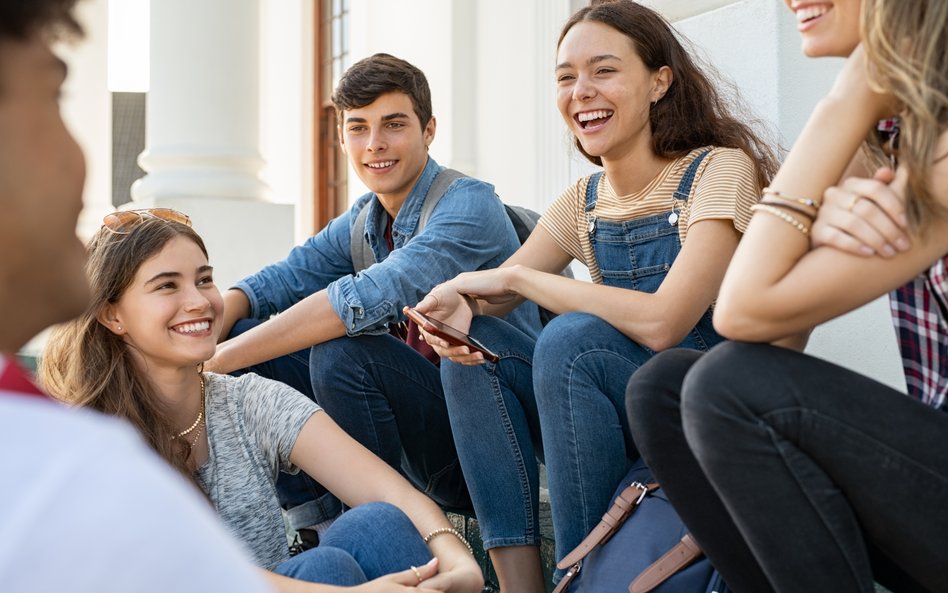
x,y
692,113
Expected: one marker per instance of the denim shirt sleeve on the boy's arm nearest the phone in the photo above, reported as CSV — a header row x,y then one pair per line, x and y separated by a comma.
x,y
468,230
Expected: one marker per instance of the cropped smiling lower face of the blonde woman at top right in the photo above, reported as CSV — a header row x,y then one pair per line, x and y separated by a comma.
x,y
827,28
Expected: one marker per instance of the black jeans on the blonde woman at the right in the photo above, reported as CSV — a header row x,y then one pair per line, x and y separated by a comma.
x,y
795,474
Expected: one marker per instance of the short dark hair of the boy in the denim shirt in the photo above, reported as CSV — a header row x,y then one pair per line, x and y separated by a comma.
x,y
369,78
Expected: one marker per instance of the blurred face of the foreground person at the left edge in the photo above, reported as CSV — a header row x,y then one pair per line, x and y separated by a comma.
x,y
42,173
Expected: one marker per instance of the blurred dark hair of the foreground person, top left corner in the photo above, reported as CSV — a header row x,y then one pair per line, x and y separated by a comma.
x,y
20,19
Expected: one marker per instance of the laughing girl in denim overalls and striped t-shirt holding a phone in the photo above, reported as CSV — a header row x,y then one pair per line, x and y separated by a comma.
x,y
656,229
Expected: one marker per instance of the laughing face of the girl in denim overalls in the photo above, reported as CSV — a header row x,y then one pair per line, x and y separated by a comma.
x,y
604,90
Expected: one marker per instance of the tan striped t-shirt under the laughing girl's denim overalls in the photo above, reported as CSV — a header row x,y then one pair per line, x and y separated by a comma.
x,y
725,187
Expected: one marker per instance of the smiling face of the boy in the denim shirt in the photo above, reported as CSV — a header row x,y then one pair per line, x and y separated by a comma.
x,y
387,146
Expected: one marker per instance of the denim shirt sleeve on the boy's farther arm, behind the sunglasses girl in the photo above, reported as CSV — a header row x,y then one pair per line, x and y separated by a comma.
x,y
309,268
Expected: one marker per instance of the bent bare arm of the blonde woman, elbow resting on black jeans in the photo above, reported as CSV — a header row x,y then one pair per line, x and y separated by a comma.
x,y
776,286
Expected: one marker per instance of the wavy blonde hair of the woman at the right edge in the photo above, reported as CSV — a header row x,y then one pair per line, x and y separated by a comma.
x,y
906,43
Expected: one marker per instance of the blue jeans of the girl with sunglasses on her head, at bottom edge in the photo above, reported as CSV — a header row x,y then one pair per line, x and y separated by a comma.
x,y
367,542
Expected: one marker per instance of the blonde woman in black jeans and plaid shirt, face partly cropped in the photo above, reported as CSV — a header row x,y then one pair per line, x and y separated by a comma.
x,y
794,474
